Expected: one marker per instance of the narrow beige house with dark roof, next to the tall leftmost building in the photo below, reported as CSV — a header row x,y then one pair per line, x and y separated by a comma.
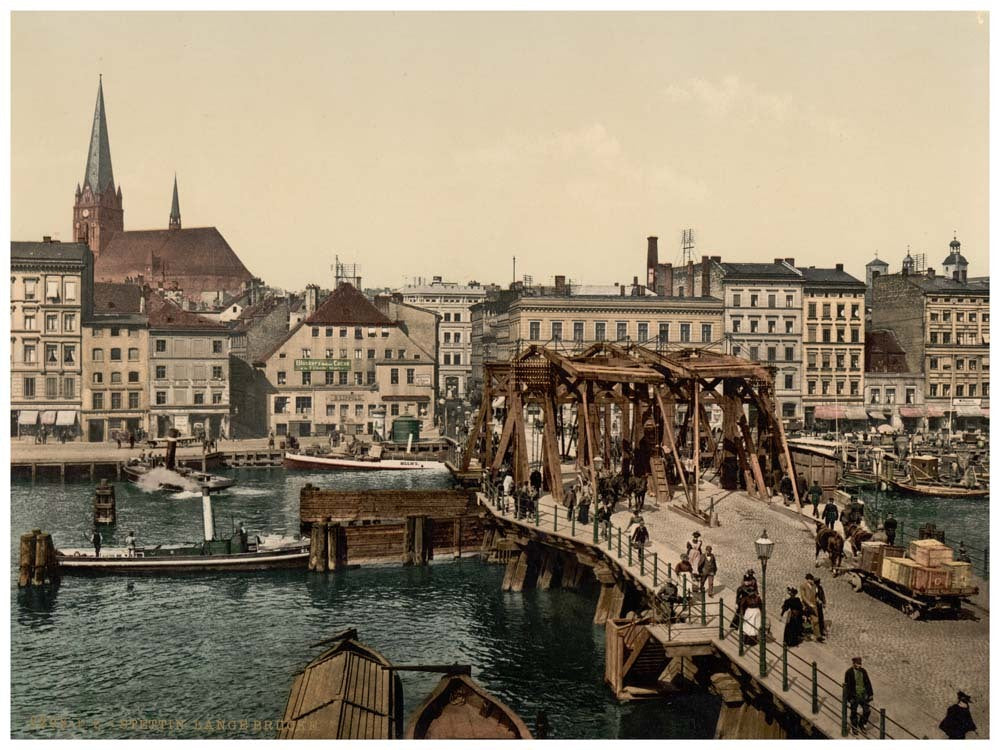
x,y
116,365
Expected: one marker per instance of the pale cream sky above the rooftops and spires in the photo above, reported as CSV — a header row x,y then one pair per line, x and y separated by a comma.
x,y
443,144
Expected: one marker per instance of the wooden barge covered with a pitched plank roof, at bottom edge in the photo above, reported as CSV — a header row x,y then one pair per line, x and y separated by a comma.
x,y
348,692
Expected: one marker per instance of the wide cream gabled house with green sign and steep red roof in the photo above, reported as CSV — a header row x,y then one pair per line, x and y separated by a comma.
x,y
347,368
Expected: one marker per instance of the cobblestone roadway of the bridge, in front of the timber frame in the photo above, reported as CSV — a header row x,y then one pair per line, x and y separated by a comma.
x,y
931,659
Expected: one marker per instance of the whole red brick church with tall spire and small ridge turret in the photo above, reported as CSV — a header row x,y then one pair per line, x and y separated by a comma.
x,y
198,262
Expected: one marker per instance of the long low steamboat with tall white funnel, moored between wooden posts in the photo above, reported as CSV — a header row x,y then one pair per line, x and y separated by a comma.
x,y
237,553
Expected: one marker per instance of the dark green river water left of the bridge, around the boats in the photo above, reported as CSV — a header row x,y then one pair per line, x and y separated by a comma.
x,y
99,655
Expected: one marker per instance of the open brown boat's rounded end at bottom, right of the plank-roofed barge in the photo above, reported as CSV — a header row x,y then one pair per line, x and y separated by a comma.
x,y
461,709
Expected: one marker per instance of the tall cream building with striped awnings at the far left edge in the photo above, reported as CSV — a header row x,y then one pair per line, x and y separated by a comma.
x,y
51,290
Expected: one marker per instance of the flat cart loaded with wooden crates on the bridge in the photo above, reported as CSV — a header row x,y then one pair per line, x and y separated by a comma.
x,y
918,589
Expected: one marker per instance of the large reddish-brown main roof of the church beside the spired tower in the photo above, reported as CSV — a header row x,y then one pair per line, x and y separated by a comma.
x,y
199,259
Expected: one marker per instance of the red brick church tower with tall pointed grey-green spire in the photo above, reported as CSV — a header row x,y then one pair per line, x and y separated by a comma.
x,y
97,210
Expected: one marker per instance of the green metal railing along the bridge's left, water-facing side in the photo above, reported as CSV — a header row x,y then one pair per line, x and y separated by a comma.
x,y
826,692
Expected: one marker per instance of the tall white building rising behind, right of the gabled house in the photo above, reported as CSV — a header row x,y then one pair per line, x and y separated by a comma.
x,y
453,302
